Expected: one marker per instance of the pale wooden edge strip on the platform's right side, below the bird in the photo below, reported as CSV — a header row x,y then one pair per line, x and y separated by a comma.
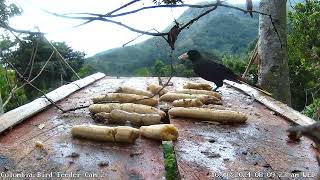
x,y
277,106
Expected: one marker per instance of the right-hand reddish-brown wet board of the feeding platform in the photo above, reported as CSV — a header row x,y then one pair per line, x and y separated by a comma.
x,y
257,149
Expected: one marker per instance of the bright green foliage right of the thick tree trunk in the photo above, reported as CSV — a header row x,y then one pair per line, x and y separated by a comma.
x,y
304,53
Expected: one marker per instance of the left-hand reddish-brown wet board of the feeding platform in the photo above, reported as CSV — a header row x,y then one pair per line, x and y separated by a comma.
x,y
142,160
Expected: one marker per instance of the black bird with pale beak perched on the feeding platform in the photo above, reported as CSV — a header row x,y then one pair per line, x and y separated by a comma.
x,y
210,70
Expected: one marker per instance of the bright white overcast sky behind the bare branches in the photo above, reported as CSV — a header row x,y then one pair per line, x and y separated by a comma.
x,y
96,36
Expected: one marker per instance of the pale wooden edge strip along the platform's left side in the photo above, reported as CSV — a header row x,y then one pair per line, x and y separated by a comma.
x,y
19,114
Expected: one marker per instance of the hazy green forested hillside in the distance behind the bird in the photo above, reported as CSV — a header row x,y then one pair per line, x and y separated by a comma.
x,y
223,31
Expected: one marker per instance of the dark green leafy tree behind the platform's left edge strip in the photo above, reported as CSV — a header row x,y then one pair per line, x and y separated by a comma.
x,y
54,73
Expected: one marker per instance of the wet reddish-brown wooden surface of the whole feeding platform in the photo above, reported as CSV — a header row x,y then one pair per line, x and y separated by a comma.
x,y
258,148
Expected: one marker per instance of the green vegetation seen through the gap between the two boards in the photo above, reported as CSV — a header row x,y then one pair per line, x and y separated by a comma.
x,y
170,162
